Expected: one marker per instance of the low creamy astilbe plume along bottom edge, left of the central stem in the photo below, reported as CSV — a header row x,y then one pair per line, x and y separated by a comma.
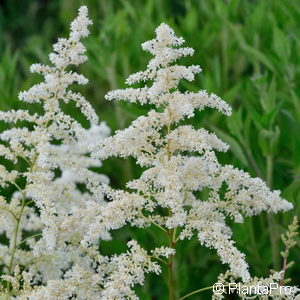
x,y
109,278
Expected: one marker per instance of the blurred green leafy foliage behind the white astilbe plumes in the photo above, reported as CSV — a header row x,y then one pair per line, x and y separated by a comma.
x,y
250,53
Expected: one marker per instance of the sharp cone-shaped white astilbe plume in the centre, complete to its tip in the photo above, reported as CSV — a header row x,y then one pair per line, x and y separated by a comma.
x,y
180,162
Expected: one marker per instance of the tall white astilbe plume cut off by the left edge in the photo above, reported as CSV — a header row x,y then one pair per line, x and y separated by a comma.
x,y
48,215
